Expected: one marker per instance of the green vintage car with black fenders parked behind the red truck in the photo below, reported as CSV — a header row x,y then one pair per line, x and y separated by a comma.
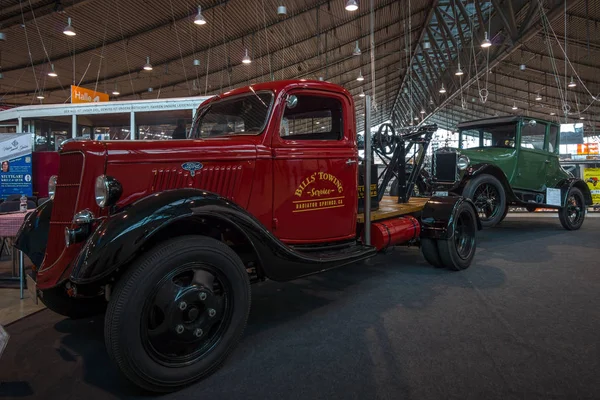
x,y
510,161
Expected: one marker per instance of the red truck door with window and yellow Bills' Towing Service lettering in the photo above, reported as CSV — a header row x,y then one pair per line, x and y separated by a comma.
x,y
315,169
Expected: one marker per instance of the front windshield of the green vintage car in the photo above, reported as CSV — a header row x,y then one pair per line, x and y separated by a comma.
x,y
488,136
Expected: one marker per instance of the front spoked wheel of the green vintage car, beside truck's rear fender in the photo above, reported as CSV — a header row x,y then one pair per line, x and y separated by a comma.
x,y
489,197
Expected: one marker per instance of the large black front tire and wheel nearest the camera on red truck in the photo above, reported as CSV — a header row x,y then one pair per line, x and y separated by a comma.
x,y
144,316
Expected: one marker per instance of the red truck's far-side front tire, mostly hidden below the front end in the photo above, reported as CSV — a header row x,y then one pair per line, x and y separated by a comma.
x,y
57,300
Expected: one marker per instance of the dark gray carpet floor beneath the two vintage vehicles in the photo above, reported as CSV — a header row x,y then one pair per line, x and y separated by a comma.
x,y
522,323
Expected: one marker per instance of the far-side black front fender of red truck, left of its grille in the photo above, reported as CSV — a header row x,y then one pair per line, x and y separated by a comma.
x,y
32,237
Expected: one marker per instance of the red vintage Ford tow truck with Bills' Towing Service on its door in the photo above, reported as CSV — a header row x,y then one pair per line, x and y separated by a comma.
x,y
167,237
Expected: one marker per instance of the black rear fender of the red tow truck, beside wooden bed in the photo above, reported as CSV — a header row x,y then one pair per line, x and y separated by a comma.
x,y
438,216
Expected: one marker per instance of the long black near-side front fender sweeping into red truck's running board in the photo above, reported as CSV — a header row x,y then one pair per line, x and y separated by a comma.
x,y
118,240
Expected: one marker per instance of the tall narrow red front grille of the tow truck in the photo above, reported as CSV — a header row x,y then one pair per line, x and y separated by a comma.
x,y
70,171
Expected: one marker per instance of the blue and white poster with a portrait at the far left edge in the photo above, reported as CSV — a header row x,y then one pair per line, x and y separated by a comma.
x,y
15,155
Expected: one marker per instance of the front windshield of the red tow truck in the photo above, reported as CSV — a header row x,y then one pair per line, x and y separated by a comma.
x,y
241,115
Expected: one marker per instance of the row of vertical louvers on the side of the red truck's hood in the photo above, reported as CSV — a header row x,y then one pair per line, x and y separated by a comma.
x,y
220,179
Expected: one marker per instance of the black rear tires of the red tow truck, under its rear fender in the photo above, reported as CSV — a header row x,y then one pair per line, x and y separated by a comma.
x,y
457,252
